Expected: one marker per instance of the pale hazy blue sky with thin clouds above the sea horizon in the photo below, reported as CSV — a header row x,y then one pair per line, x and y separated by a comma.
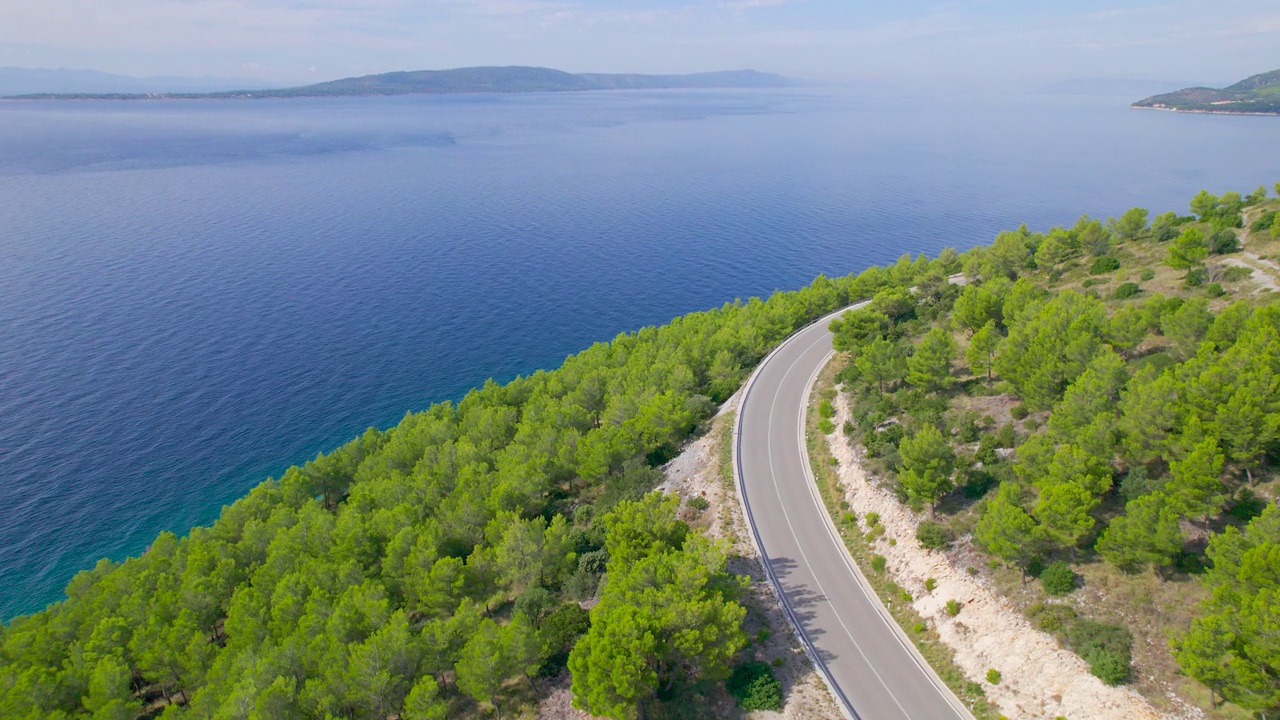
x,y
1025,42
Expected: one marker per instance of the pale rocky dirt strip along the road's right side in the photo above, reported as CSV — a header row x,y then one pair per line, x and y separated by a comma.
x,y
1039,678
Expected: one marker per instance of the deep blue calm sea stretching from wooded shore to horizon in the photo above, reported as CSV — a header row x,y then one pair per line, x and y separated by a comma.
x,y
196,295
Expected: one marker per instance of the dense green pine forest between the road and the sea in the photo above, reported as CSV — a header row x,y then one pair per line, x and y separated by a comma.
x,y
436,569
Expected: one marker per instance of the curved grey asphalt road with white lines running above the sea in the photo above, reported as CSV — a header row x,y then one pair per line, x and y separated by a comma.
x,y
868,663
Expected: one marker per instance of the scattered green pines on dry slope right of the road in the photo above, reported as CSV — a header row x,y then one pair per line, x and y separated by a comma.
x,y
1108,393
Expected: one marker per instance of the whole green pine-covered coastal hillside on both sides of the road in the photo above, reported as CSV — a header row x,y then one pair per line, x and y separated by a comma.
x,y
1118,407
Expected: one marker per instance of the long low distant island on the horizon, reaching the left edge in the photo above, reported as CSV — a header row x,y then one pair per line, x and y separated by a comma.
x,y
464,80
